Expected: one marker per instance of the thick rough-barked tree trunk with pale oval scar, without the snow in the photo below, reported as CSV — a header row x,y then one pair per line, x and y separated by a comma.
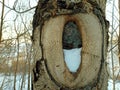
x,y
50,71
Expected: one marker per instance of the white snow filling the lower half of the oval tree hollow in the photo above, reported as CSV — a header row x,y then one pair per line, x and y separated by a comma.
x,y
72,58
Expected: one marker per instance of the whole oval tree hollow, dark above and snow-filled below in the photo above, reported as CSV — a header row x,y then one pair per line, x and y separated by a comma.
x,y
72,43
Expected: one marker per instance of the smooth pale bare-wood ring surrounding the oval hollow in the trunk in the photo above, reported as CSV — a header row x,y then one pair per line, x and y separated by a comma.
x,y
90,29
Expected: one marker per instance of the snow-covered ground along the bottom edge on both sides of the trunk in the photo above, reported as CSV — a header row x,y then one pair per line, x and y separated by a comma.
x,y
8,84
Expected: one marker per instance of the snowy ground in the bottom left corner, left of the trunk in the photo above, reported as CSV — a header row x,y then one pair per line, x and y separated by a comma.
x,y
9,82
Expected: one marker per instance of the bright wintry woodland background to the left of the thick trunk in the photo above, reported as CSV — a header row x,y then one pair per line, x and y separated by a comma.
x,y
15,45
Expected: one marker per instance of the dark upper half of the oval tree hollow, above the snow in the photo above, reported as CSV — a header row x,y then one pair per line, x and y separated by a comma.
x,y
71,36
